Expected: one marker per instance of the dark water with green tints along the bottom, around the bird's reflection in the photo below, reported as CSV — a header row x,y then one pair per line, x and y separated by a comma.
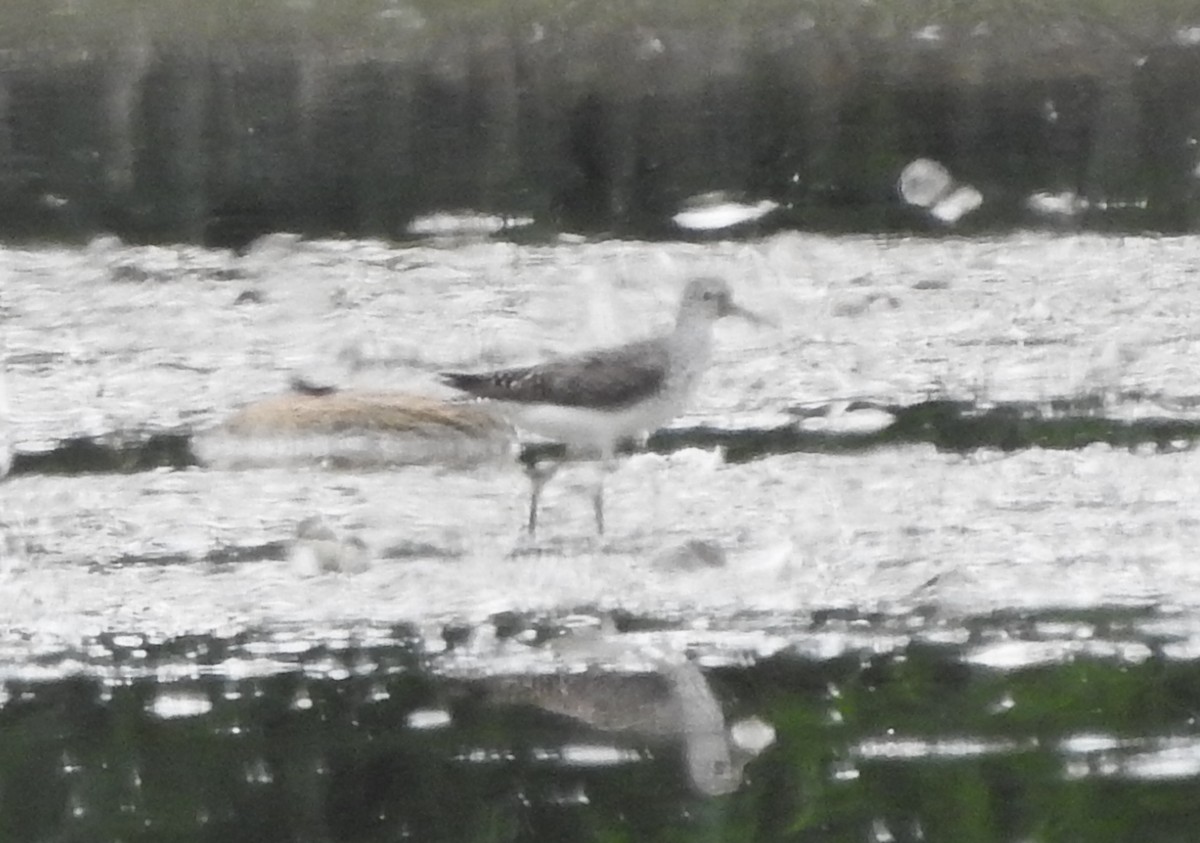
x,y
914,742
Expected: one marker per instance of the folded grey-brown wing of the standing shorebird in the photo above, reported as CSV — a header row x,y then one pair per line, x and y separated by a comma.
x,y
610,379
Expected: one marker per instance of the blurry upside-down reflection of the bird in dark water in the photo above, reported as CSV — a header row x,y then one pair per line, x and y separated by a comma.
x,y
675,704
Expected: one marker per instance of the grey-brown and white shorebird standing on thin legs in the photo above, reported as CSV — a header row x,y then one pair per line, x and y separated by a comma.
x,y
595,400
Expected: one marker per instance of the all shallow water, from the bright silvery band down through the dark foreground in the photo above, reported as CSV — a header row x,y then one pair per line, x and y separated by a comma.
x,y
998,581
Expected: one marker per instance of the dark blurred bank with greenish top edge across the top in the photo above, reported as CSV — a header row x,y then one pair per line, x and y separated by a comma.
x,y
217,122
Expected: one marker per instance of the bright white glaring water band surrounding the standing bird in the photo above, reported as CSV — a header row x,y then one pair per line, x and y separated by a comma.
x,y
694,539
